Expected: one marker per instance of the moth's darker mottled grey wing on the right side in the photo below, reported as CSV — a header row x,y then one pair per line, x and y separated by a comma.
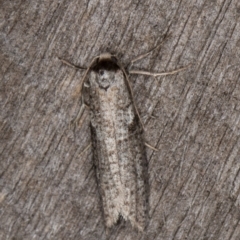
x,y
133,171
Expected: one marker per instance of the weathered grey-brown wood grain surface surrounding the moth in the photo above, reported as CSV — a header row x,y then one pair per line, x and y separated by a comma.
x,y
48,188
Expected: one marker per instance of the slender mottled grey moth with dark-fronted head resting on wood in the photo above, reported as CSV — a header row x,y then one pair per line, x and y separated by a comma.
x,y
117,141
